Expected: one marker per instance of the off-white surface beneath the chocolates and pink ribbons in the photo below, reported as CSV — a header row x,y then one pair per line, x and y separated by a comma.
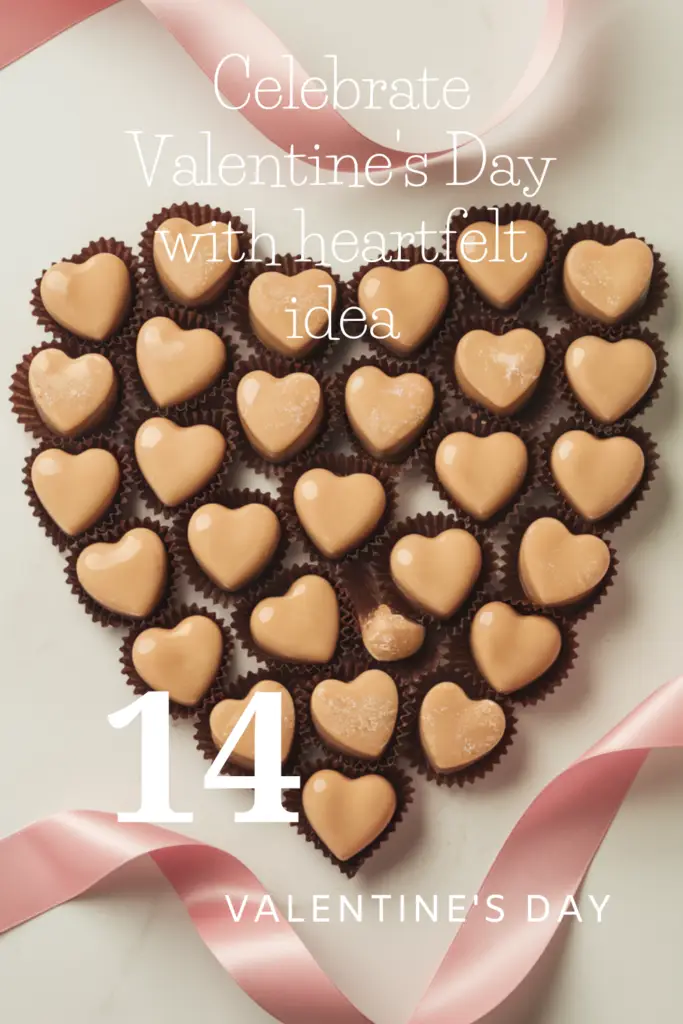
x,y
611,112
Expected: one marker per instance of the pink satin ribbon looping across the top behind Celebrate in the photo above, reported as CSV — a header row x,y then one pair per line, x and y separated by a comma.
x,y
211,29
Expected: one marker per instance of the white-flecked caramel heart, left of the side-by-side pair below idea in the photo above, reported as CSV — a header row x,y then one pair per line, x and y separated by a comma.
x,y
280,415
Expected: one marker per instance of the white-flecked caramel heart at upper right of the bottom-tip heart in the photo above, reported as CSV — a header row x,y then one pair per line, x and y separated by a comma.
x,y
456,732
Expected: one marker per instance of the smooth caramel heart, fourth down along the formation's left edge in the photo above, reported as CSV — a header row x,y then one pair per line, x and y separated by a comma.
x,y
129,576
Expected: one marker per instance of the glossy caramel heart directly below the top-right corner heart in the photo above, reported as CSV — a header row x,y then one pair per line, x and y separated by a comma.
x,y
610,377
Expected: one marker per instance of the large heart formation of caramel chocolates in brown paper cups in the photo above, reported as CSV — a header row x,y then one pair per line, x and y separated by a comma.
x,y
500,628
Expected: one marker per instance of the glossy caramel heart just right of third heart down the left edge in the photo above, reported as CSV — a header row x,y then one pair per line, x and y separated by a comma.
x,y
176,461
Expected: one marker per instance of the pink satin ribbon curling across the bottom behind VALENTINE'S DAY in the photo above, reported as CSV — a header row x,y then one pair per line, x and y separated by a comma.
x,y
548,851
